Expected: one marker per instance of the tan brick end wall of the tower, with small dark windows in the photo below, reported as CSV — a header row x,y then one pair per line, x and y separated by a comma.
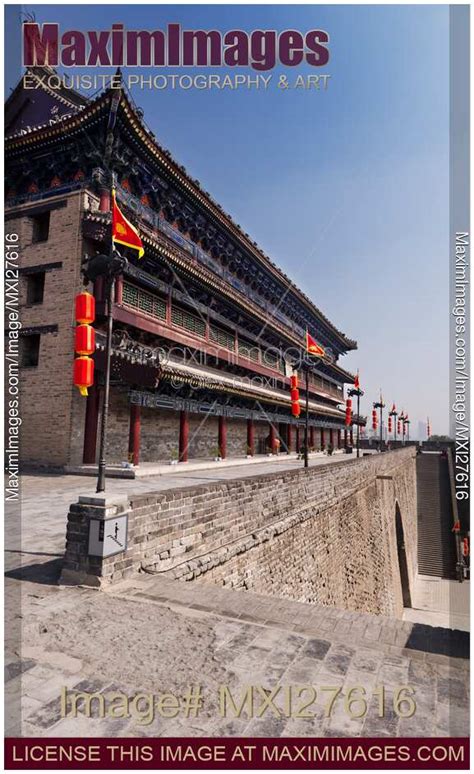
x,y
48,402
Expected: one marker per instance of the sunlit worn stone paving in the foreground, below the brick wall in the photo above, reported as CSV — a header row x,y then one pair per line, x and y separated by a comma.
x,y
156,637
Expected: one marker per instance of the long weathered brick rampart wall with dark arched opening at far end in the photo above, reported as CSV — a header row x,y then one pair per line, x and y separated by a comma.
x,y
326,535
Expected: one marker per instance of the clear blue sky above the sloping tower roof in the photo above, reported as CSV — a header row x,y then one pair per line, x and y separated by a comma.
x,y
346,190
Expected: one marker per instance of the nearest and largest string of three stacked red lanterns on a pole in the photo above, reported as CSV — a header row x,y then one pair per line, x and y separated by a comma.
x,y
84,342
